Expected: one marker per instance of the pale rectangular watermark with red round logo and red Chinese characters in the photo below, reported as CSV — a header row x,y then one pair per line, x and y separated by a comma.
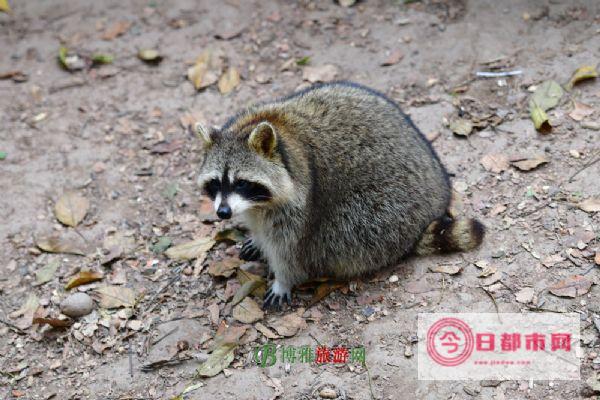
x,y
466,346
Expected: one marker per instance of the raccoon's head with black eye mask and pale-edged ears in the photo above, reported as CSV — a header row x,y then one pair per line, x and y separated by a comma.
x,y
243,171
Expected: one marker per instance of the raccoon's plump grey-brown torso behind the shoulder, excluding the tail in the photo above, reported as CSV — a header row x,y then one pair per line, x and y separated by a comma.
x,y
376,184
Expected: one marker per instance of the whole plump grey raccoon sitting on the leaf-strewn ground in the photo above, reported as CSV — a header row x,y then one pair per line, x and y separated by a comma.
x,y
332,181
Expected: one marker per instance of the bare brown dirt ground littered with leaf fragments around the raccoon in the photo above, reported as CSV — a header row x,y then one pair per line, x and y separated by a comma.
x,y
119,135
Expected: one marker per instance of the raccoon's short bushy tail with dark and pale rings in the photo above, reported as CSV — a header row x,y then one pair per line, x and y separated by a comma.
x,y
446,235
